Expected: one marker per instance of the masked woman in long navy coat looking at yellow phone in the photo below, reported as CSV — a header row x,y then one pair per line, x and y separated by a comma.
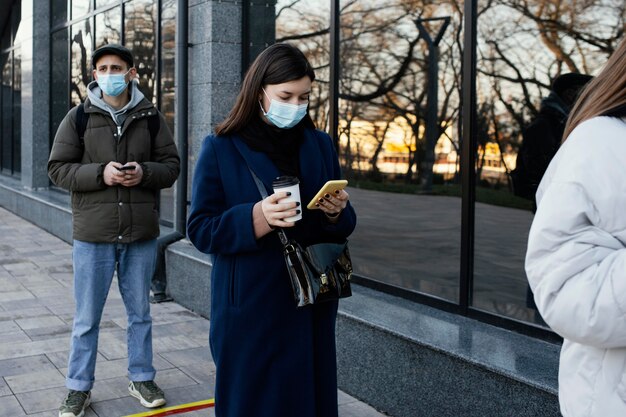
x,y
272,358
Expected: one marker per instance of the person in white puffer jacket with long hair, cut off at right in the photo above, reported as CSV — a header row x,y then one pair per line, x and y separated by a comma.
x,y
576,258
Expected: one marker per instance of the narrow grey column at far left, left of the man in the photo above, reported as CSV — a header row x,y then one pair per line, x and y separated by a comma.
x,y
35,126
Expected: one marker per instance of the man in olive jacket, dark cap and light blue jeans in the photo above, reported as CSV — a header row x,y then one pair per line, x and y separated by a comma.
x,y
114,173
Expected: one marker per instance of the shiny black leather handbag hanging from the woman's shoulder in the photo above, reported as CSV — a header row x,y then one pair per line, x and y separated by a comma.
x,y
319,272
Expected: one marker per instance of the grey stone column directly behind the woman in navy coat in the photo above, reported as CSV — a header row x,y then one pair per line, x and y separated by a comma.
x,y
216,58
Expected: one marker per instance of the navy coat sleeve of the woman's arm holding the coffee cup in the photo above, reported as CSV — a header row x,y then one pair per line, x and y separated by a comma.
x,y
212,226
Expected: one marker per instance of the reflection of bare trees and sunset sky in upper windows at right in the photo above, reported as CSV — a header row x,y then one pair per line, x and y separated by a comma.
x,y
523,46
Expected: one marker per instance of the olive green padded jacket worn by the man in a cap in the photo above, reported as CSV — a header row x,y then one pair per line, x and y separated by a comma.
x,y
110,214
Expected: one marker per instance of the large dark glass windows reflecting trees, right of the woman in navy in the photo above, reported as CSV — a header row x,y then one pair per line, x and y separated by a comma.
x,y
400,133
